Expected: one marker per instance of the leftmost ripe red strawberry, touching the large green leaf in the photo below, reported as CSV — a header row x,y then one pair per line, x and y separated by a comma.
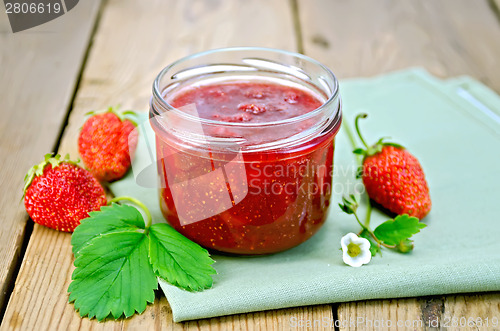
x,y
58,193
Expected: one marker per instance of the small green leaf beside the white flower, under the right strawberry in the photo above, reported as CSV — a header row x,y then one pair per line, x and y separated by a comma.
x,y
392,232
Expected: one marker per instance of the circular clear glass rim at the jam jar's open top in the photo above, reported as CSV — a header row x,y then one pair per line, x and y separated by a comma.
x,y
158,97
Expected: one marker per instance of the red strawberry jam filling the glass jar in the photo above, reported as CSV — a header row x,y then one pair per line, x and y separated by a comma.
x,y
261,202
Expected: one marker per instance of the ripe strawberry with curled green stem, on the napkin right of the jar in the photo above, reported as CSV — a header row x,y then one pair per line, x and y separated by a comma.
x,y
394,178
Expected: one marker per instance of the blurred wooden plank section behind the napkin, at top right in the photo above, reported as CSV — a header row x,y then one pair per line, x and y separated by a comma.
x,y
364,38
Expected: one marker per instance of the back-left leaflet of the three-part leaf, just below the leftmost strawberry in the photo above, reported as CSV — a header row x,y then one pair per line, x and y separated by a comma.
x,y
115,218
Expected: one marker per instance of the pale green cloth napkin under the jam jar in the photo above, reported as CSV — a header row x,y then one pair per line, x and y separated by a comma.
x,y
453,127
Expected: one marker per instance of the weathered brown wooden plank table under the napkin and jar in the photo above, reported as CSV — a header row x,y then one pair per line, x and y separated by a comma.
x,y
104,53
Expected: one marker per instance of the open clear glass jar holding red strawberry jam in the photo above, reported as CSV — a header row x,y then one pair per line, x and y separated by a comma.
x,y
245,187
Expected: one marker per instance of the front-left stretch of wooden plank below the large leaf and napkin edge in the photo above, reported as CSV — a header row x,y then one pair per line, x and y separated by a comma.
x,y
44,300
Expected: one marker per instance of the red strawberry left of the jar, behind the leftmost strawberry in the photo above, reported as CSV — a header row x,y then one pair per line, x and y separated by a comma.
x,y
104,144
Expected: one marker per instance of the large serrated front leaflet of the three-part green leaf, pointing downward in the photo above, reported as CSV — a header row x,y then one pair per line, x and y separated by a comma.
x,y
113,276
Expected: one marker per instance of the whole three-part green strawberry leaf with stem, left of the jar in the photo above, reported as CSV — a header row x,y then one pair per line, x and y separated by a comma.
x,y
118,259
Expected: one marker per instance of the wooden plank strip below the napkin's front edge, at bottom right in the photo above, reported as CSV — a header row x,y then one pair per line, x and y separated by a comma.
x,y
453,312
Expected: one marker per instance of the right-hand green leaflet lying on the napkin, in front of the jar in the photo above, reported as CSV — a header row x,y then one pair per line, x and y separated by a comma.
x,y
178,260
